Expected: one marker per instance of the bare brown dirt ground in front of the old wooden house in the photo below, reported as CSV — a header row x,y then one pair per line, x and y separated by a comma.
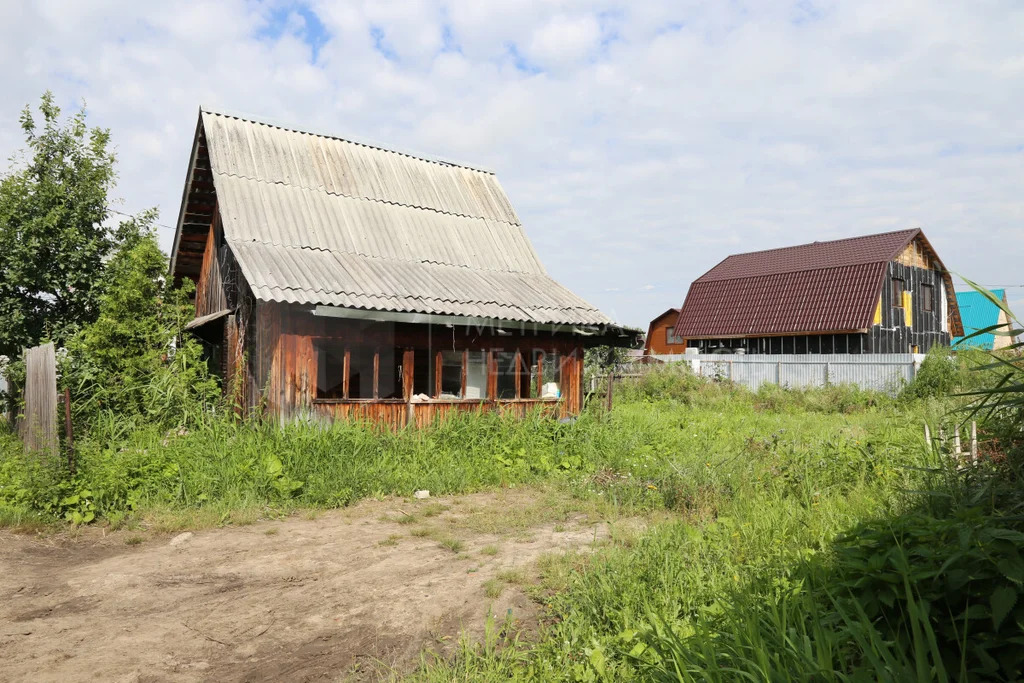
x,y
349,595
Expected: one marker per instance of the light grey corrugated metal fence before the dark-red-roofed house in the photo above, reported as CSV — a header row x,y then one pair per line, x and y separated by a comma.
x,y
882,372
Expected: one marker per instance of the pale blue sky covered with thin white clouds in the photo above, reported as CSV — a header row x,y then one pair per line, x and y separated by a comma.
x,y
641,143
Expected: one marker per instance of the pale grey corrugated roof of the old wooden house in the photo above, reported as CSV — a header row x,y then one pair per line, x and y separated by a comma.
x,y
322,221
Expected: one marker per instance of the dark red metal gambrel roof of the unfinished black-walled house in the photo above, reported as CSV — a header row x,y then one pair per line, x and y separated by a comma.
x,y
824,287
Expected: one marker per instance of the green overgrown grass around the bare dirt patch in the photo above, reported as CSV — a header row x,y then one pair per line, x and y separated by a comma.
x,y
749,571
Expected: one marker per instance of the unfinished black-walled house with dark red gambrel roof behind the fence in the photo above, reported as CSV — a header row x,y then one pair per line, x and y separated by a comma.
x,y
884,293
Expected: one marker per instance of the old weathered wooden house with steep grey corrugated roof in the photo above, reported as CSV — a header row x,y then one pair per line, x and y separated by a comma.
x,y
340,279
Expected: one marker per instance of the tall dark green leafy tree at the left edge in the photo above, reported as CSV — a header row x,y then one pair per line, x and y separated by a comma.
x,y
53,239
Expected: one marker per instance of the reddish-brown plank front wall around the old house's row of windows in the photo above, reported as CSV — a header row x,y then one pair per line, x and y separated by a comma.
x,y
283,357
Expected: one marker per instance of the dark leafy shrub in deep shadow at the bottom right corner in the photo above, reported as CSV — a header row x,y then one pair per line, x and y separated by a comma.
x,y
957,581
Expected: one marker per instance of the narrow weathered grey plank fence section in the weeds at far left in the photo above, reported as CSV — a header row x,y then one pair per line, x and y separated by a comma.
x,y
38,426
